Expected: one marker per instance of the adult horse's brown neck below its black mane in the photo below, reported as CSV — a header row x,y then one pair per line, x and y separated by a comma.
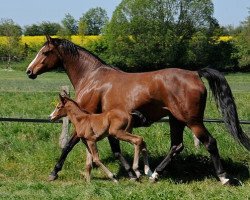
x,y
81,68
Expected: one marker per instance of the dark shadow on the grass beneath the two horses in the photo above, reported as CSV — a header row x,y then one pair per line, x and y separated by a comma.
x,y
185,169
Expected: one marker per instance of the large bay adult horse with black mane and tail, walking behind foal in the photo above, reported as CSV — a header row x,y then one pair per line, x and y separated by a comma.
x,y
178,93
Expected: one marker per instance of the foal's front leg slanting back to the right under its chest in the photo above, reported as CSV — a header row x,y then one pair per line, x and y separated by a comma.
x,y
93,149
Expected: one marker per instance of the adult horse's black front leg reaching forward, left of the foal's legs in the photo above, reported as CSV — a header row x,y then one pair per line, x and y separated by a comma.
x,y
65,151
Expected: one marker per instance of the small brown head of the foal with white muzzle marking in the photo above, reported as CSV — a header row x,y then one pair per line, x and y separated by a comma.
x,y
60,110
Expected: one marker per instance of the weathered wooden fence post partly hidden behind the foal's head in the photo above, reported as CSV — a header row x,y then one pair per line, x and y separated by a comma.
x,y
64,137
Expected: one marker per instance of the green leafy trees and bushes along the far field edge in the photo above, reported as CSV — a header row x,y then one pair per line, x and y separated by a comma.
x,y
145,35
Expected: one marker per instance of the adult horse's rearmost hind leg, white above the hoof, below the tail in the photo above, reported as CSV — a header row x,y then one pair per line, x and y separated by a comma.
x,y
211,145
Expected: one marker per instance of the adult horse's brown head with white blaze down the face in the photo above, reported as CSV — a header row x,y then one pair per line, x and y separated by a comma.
x,y
48,58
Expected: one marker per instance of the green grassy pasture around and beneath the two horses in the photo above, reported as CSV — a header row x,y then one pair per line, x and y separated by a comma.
x,y
29,151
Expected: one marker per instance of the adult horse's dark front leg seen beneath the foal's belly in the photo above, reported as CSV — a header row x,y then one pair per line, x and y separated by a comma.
x,y
115,147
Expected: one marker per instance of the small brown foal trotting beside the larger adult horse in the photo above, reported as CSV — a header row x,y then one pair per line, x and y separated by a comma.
x,y
94,127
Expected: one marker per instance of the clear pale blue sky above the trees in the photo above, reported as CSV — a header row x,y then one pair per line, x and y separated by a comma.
x,y
27,12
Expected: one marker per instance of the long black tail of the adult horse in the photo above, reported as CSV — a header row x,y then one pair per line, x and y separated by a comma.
x,y
224,99
